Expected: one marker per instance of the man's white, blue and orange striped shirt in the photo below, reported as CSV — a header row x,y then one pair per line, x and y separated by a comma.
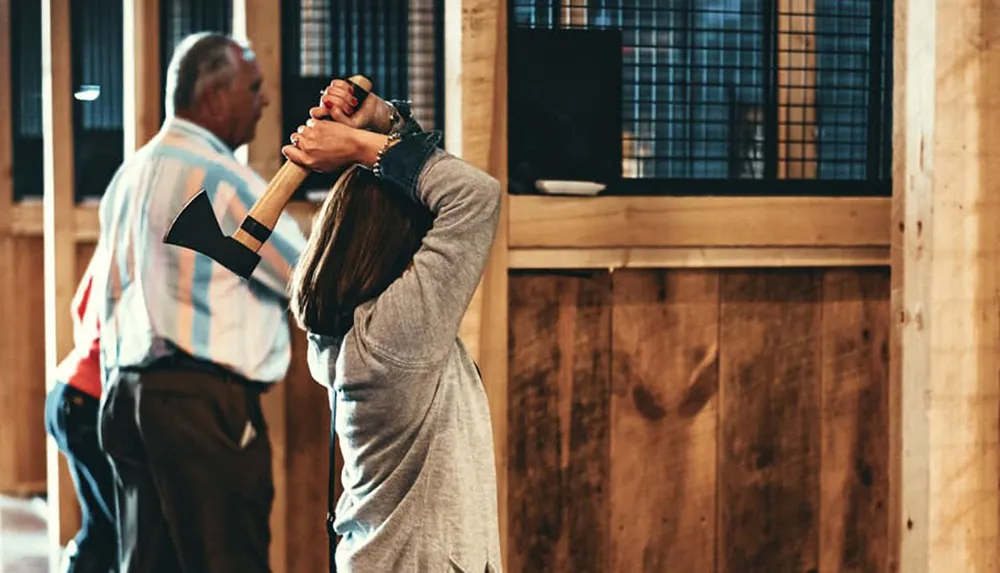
x,y
159,297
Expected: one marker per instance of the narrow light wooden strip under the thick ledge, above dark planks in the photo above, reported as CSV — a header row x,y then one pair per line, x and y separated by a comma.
x,y
698,257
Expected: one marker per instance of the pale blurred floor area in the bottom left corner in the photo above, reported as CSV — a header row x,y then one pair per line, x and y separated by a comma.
x,y
22,536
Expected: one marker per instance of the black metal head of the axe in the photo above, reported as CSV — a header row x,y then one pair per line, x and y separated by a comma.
x,y
196,228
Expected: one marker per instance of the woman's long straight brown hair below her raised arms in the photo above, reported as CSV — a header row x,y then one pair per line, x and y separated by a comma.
x,y
362,239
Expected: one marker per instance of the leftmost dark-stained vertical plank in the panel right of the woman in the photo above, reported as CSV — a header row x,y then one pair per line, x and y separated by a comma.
x,y
559,427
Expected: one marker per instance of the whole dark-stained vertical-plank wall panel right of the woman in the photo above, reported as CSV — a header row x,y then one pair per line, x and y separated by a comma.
x,y
699,421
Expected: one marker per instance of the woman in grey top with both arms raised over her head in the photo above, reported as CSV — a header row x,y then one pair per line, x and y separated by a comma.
x,y
395,255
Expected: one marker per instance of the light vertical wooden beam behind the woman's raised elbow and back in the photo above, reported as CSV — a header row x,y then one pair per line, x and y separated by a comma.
x,y
476,130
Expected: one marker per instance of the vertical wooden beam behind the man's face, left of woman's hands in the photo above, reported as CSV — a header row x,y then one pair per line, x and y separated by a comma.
x,y
259,23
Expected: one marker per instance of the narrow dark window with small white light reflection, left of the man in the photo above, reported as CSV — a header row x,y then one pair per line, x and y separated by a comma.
x,y
97,62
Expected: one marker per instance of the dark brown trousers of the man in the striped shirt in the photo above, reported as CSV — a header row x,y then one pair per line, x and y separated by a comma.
x,y
193,463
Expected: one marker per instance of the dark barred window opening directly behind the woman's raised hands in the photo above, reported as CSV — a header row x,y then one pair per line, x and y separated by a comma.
x,y
398,45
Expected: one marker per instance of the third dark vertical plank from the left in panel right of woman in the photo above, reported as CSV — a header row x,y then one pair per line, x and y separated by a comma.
x,y
769,372
